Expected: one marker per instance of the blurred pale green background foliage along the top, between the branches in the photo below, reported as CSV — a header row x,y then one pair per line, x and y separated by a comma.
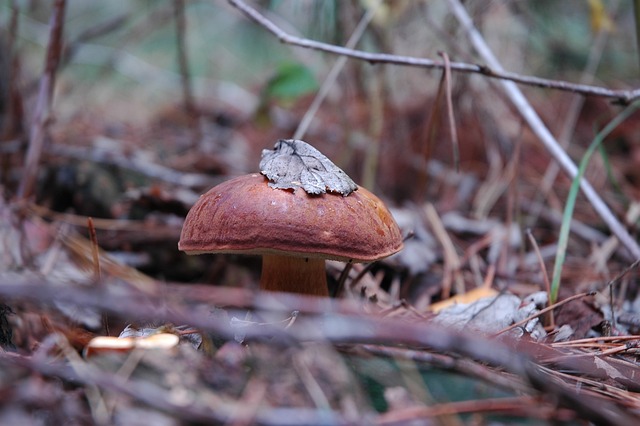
x,y
130,71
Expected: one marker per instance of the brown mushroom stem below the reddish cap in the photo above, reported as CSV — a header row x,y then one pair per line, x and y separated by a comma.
x,y
294,274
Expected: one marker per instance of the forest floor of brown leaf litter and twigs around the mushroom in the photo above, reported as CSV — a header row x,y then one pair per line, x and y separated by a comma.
x,y
104,321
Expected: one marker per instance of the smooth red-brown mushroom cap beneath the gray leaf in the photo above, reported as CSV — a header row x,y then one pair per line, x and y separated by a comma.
x,y
245,215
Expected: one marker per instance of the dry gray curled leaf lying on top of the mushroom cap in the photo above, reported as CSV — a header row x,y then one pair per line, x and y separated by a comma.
x,y
296,164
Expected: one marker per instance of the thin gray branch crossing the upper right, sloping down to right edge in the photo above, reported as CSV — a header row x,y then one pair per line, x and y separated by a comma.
x,y
621,96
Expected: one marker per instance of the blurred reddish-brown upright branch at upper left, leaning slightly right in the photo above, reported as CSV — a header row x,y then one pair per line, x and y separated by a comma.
x,y
45,100
